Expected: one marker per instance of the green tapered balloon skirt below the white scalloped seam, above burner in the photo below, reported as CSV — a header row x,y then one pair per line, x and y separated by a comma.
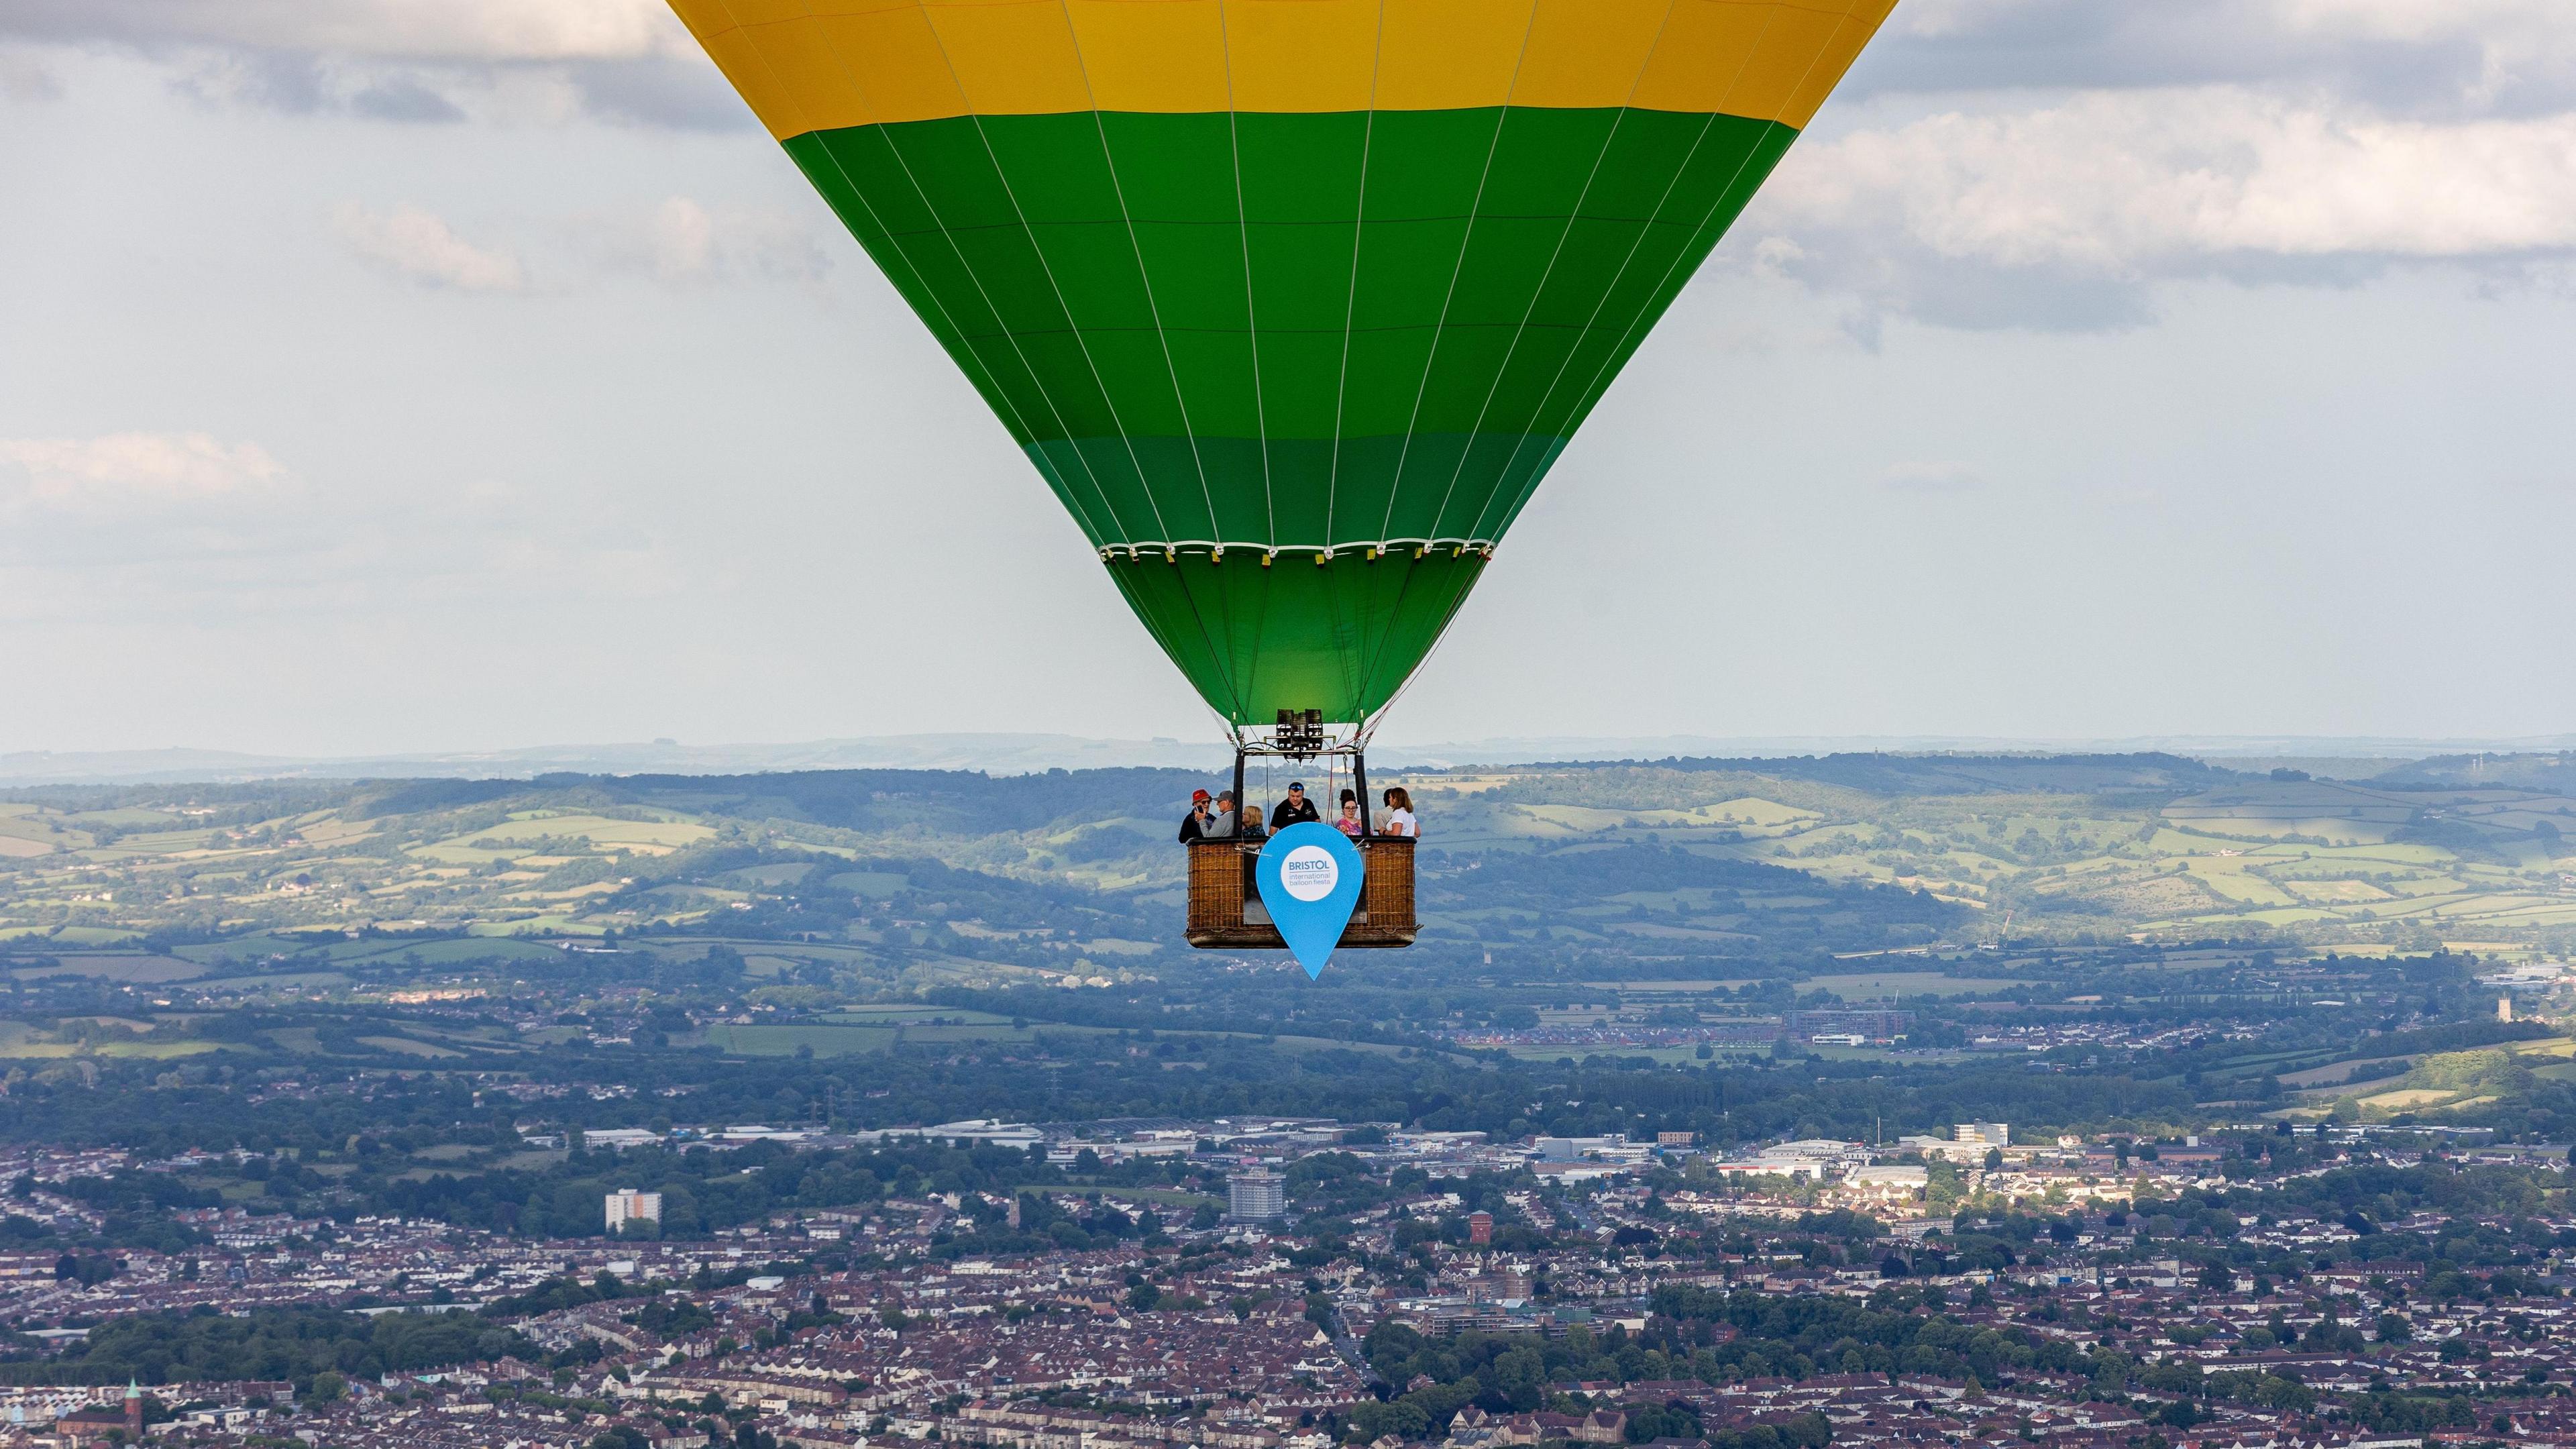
x,y
1297,636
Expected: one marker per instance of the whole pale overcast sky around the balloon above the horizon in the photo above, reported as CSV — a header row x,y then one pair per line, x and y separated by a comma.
x,y
426,375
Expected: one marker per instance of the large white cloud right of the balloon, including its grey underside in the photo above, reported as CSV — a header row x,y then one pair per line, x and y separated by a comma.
x,y
2067,215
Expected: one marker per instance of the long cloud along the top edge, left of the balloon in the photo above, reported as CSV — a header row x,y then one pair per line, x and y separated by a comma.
x,y
385,30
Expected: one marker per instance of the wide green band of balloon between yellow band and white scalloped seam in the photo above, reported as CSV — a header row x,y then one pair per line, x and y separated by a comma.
x,y
1230,326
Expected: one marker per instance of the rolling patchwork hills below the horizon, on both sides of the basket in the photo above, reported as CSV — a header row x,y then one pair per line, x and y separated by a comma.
x,y
944,875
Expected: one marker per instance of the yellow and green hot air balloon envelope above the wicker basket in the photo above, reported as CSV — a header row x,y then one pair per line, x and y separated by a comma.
x,y
1292,303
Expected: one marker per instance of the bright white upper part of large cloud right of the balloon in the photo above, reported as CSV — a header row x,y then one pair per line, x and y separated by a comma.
x,y
2155,182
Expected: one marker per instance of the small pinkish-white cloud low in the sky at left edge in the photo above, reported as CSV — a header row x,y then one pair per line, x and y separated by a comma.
x,y
133,473
